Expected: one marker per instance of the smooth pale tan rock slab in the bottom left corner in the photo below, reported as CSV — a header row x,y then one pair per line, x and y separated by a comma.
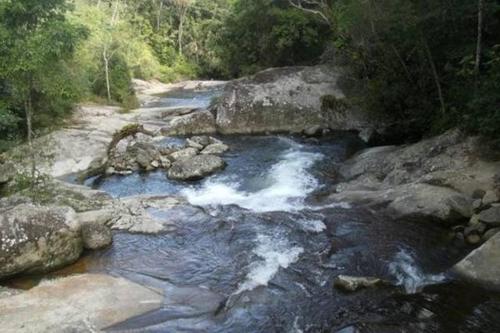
x,y
82,303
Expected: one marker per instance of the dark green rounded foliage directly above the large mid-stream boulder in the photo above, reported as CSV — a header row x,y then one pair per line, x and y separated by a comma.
x,y
266,33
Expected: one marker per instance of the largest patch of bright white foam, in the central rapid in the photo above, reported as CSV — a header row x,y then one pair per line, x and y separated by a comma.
x,y
290,183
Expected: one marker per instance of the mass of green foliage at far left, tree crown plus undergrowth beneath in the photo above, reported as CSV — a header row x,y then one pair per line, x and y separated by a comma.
x,y
35,55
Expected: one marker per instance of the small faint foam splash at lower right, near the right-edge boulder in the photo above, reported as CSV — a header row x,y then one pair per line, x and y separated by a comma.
x,y
409,275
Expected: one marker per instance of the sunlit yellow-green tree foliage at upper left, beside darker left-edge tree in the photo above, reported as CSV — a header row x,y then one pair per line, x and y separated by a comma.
x,y
113,34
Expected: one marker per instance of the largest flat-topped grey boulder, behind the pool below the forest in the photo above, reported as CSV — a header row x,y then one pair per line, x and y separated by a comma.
x,y
290,99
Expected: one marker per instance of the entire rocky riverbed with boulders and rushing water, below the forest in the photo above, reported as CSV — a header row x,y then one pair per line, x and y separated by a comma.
x,y
218,232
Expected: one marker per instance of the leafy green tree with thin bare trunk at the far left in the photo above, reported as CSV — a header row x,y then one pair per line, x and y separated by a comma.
x,y
36,39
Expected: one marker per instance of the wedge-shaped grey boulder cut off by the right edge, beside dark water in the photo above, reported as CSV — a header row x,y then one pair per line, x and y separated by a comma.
x,y
481,265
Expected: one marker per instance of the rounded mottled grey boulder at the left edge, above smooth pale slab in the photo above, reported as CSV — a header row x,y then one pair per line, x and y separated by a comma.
x,y
37,239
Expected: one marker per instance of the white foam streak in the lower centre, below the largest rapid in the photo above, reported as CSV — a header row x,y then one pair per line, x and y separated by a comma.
x,y
276,254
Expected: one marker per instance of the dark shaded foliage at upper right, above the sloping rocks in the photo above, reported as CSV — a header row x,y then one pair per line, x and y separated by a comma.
x,y
393,45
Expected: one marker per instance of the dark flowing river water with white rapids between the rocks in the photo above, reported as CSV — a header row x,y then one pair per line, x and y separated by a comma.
x,y
257,250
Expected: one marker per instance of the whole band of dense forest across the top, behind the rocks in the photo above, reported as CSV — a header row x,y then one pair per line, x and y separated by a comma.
x,y
425,66
